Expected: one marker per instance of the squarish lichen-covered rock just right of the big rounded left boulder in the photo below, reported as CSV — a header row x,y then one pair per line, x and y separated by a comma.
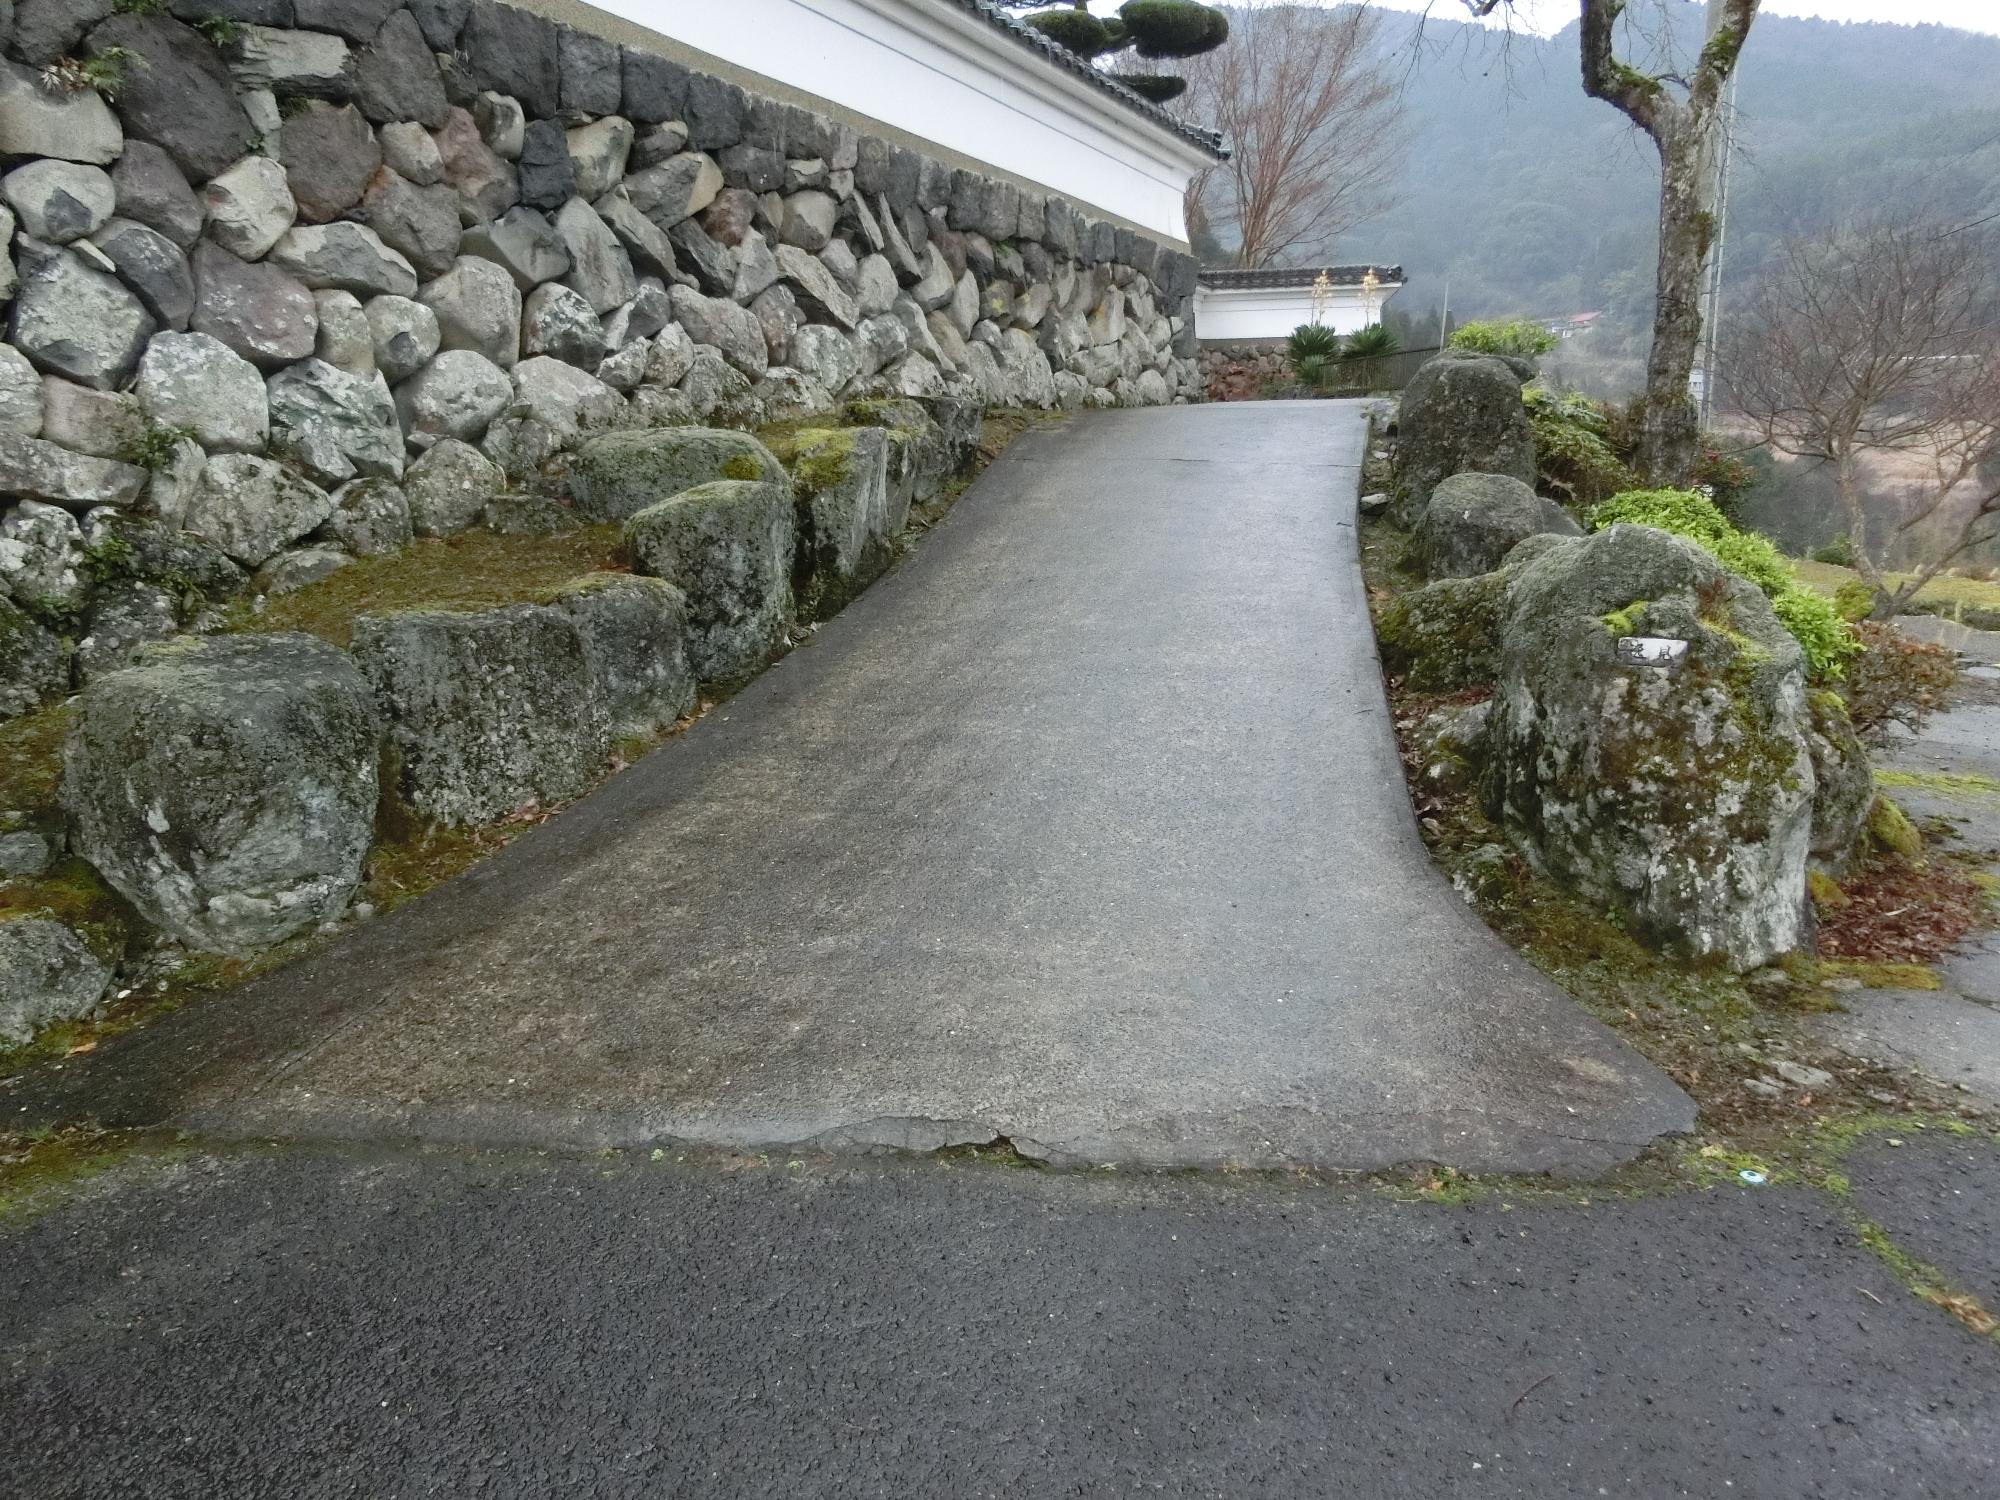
x,y
489,711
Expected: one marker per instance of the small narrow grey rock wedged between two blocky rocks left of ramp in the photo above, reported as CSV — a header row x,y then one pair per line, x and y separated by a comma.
x,y
635,637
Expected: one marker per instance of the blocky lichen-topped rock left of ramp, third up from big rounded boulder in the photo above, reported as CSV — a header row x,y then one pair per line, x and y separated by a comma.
x,y
729,549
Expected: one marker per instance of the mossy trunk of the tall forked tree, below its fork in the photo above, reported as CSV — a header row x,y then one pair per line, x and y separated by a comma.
x,y
1669,437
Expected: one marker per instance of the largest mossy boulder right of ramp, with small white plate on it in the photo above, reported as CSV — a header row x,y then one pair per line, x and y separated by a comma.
x,y
1677,793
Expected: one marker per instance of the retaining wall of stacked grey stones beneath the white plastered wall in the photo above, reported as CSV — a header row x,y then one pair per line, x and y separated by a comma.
x,y
267,255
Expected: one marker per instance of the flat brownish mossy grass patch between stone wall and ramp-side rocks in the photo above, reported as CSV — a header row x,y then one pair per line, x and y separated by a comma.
x,y
473,571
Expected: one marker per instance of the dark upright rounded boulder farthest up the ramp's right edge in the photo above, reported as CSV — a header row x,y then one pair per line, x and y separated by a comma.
x,y
1459,413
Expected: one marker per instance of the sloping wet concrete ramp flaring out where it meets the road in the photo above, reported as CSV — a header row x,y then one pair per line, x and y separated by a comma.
x,y
1085,829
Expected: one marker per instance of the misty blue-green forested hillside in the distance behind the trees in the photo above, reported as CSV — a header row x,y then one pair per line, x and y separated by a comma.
x,y
1531,197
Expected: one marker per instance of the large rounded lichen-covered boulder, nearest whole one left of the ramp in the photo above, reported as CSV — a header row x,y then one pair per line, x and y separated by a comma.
x,y
227,787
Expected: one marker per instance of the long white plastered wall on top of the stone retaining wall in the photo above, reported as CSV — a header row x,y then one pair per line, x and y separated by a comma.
x,y
949,77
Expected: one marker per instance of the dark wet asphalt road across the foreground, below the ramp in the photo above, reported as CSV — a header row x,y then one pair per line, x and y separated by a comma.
x,y
349,1323
